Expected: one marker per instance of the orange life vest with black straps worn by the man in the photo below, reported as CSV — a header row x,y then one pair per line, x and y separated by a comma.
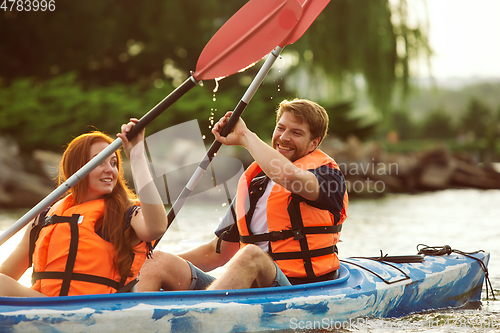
x,y
302,238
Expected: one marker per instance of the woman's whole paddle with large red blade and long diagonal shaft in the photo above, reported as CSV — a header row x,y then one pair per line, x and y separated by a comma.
x,y
244,39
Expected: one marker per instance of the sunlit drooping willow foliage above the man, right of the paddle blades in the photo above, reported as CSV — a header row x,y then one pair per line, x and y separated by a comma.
x,y
372,39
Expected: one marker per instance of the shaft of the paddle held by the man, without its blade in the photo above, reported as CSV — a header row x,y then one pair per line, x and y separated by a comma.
x,y
214,148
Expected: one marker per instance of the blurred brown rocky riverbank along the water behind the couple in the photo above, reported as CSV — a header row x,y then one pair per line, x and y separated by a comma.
x,y
369,170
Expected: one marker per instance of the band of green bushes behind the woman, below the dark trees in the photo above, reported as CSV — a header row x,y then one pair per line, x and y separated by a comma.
x,y
48,114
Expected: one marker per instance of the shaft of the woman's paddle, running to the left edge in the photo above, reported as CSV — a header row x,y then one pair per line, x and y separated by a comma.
x,y
93,163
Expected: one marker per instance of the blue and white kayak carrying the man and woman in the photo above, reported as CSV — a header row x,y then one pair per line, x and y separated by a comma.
x,y
366,288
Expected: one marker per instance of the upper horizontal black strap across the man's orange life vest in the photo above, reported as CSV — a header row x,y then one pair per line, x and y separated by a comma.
x,y
274,236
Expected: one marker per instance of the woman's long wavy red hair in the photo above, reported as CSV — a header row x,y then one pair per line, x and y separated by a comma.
x,y
117,203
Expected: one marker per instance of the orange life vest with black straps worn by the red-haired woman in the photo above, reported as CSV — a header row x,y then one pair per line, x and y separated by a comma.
x,y
70,258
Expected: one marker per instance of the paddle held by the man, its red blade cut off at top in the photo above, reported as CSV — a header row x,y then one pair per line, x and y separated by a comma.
x,y
310,10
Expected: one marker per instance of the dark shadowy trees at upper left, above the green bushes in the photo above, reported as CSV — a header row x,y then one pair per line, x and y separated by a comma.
x,y
109,41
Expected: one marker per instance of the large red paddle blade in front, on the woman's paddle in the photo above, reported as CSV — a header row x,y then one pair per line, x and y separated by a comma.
x,y
249,35
